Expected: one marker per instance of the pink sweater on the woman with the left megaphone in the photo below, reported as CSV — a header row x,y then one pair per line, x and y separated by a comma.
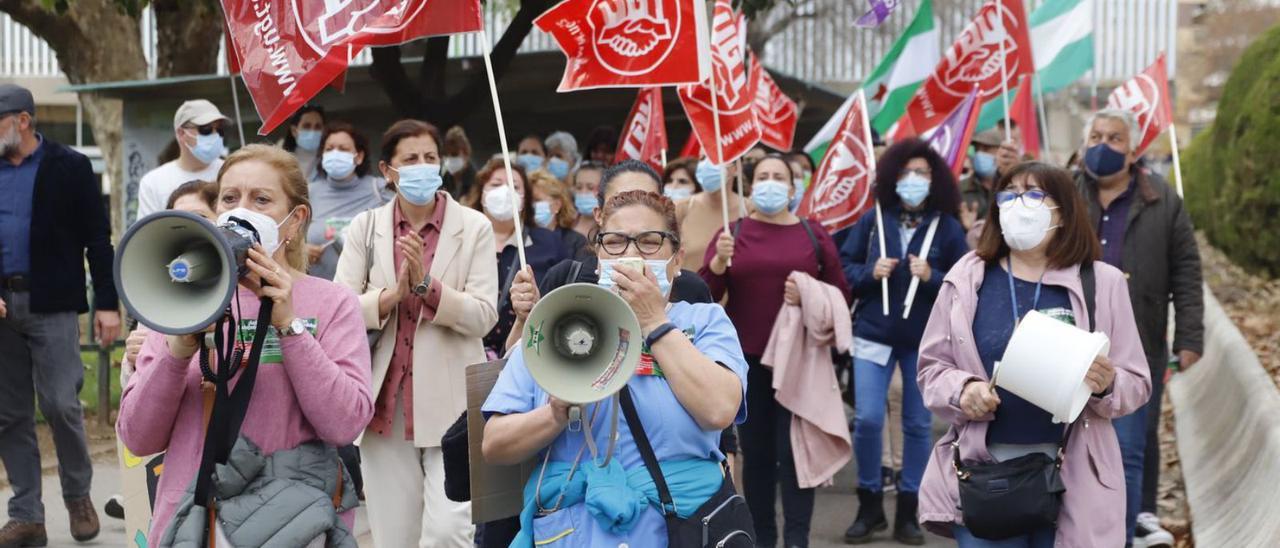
x,y
319,392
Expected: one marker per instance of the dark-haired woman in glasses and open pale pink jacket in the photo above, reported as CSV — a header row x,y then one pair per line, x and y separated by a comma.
x,y
1008,472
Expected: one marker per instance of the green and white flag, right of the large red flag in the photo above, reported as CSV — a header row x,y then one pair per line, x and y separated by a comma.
x,y
1063,45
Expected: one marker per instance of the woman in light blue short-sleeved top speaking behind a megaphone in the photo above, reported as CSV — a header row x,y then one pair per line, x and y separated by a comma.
x,y
689,386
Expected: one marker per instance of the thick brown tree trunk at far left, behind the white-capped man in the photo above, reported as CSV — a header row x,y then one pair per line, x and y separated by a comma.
x,y
95,42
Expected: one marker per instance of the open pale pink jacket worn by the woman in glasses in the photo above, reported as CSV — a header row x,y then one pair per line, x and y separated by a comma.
x,y
1094,506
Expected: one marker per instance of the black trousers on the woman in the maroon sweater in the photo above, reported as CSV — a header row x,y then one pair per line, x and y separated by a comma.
x,y
769,464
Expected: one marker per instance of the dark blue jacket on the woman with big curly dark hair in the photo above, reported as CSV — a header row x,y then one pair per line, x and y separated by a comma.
x,y
860,254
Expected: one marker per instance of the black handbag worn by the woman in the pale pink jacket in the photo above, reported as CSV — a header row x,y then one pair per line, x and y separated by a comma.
x,y
1016,497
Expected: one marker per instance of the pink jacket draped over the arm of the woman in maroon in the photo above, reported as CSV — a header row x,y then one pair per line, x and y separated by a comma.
x,y
804,380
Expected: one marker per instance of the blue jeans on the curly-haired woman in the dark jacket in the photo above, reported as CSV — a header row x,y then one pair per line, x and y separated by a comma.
x,y
871,394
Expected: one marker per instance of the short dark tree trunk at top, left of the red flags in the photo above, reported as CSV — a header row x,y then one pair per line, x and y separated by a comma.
x,y
188,35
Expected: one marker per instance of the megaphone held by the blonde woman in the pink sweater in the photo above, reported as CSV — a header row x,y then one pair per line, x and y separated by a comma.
x,y
177,272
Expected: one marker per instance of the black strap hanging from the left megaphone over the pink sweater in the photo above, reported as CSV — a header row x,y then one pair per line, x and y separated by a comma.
x,y
230,407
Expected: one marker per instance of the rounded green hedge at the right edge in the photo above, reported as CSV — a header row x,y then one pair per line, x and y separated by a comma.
x,y
1233,170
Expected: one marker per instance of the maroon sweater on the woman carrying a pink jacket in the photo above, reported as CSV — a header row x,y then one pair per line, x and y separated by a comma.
x,y
765,255
